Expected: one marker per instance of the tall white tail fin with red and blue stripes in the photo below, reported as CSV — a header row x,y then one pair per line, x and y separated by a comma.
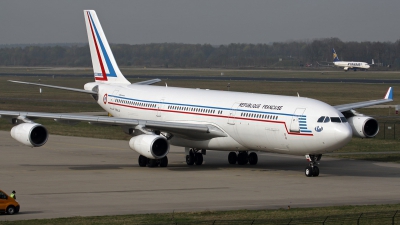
x,y
105,67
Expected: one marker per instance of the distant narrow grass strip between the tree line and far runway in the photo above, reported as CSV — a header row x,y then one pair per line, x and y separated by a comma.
x,y
213,72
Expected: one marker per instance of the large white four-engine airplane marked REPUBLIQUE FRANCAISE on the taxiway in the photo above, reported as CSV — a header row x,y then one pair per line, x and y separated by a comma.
x,y
200,120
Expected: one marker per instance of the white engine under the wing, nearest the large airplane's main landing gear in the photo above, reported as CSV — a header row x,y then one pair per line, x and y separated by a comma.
x,y
150,145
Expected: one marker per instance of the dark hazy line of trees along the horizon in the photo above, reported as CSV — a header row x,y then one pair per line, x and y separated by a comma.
x,y
175,55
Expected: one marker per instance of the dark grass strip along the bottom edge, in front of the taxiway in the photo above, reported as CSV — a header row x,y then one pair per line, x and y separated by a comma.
x,y
372,214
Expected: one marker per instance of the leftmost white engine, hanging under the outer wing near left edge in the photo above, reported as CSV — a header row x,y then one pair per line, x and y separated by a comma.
x,y
30,134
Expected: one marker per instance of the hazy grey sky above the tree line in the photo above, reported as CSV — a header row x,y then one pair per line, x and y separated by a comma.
x,y
200,21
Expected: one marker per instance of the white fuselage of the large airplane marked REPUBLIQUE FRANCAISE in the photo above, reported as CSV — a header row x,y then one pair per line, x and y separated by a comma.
x,y
261,122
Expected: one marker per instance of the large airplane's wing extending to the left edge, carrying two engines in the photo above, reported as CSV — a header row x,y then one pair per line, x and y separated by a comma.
x,y
186,130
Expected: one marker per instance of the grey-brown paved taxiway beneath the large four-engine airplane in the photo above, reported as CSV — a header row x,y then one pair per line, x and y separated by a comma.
x,y
73,176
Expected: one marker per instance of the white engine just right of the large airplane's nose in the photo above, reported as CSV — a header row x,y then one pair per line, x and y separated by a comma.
x,y
364,126
